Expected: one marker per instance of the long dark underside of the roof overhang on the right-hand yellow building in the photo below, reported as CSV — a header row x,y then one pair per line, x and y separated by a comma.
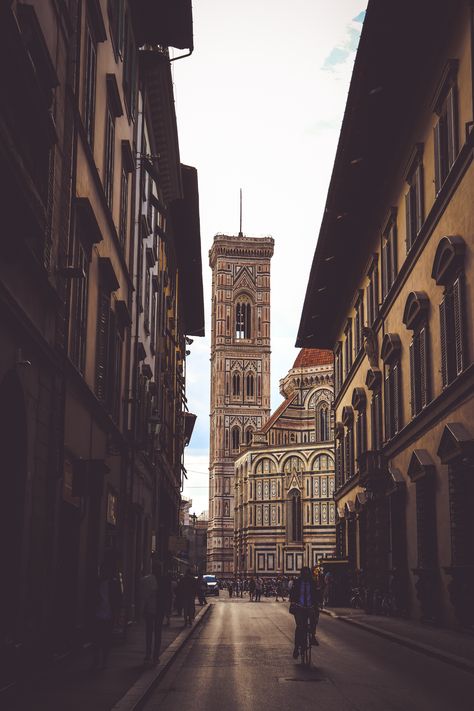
x,y
393,73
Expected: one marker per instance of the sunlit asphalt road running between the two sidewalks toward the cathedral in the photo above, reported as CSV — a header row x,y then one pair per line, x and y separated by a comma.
x,y
240,659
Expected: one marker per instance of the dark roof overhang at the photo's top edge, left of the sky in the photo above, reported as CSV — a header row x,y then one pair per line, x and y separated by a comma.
x,y
168,23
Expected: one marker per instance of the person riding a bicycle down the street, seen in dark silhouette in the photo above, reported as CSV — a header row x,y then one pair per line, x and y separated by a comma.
x,y
304,598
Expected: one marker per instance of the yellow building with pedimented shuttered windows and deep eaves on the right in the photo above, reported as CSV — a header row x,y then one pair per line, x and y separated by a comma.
x,y
391,290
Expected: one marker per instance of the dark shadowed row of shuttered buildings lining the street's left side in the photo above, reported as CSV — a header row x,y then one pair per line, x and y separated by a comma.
x,y
99,290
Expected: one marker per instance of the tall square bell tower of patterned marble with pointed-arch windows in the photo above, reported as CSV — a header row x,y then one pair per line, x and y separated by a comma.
x,y
240,375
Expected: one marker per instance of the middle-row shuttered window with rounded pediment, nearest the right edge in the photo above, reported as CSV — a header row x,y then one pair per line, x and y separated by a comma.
x,y
448,271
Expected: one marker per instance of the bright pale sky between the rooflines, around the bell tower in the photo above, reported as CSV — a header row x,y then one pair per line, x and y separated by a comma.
x,y
259,106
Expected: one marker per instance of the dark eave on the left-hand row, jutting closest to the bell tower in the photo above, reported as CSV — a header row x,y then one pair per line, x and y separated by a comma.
x,y
187,234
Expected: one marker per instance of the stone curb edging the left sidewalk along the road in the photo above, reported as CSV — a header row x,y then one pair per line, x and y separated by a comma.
x,y
138,693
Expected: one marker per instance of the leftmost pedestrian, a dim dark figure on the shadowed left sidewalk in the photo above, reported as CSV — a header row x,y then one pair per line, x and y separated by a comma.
x,y
109,595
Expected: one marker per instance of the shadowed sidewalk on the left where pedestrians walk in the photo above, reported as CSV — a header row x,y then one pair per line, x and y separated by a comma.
x,y
72,685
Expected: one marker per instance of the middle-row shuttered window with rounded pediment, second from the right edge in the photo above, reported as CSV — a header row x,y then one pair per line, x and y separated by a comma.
x,y
415,318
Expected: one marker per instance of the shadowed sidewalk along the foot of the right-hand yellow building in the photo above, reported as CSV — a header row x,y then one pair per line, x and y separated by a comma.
x,y
456,648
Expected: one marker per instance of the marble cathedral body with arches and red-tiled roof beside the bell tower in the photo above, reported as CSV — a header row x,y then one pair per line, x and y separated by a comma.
x,y
284,480
